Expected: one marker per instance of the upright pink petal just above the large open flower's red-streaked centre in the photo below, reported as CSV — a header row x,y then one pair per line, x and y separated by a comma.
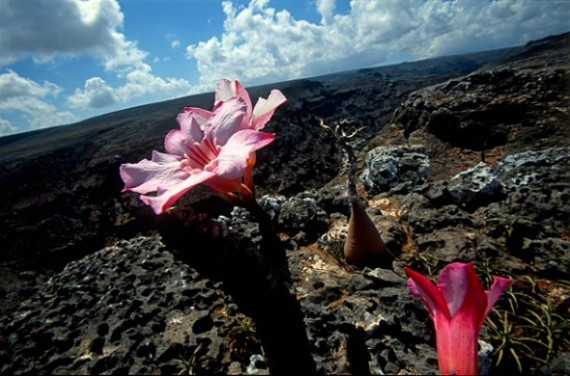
x,y
225,121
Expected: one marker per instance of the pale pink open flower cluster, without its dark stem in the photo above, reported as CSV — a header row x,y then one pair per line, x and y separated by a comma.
x,y
214,148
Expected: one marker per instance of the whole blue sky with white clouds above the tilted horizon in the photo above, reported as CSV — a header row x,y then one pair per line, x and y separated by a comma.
x,y
62,61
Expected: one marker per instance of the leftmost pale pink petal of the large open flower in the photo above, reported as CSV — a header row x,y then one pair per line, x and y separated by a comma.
x,y
146,176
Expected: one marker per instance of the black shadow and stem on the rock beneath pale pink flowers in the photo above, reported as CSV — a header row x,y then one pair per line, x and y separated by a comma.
x,y
250,260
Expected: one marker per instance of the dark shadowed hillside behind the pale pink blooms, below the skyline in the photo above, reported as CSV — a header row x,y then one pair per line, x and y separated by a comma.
x,y
61,187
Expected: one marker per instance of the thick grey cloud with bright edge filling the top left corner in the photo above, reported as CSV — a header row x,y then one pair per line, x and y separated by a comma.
x,y
43,29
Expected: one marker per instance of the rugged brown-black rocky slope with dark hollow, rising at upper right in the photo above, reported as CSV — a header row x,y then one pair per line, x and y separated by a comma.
x,y
505,108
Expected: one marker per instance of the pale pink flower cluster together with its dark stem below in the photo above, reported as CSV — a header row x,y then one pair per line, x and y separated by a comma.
x,y
217,148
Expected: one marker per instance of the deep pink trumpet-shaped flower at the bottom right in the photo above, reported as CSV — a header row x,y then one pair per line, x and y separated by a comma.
x,y
458,306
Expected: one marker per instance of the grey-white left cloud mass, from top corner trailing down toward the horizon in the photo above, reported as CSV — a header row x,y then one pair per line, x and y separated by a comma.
x,y
45,30
